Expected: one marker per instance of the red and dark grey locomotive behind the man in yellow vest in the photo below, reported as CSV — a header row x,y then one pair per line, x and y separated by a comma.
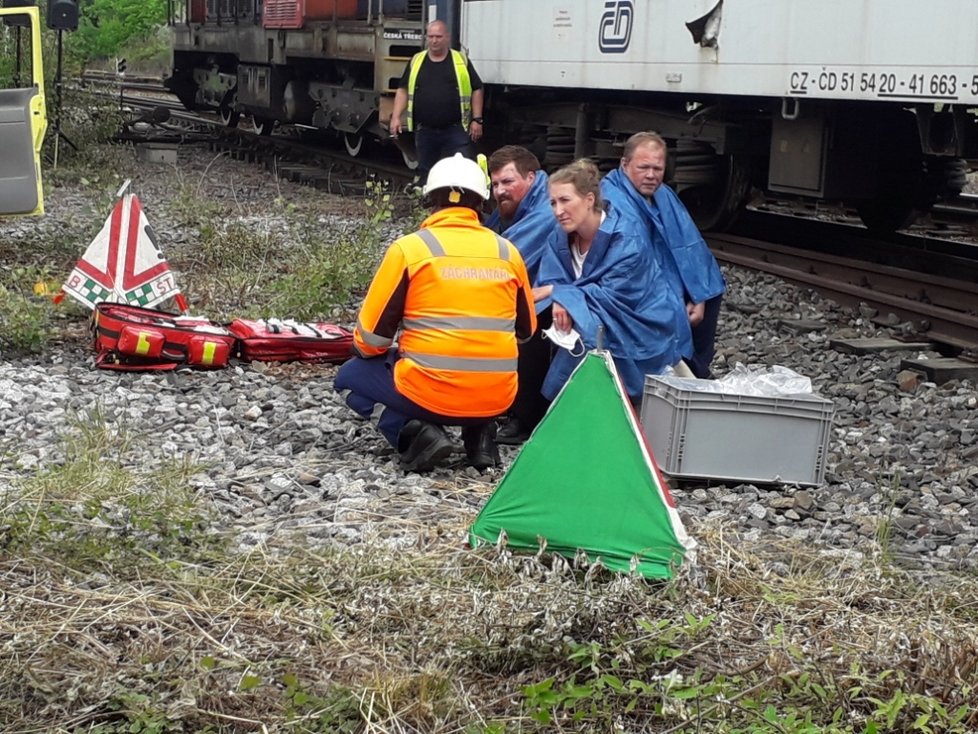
x,y
331,65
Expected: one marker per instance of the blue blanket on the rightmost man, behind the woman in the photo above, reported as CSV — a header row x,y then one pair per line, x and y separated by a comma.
x,y
685,256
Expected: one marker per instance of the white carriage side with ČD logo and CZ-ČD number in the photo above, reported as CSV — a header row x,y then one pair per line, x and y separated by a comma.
x,y
875,50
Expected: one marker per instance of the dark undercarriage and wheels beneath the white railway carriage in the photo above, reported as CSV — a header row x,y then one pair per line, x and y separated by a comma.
x,y
889,163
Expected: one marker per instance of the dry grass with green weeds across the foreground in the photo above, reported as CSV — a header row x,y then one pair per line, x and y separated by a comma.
x,y
439,638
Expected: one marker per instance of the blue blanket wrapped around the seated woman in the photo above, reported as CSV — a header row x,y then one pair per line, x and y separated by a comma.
x,y
620,289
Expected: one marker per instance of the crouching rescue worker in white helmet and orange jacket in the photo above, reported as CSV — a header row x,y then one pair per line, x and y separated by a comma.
x,y
457,297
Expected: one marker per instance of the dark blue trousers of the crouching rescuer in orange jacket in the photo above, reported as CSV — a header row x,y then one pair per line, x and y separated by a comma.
x,y
371,381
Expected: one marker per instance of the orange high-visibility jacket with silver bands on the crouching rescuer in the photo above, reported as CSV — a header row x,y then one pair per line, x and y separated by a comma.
x,y
461,297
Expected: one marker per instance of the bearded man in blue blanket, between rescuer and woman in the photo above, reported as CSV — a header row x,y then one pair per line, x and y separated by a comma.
x,y
523,217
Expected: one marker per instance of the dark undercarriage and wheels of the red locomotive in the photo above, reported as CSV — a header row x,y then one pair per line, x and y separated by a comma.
x,y
335,77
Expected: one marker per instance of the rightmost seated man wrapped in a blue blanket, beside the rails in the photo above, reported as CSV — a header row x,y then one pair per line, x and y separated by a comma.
x,y
636,189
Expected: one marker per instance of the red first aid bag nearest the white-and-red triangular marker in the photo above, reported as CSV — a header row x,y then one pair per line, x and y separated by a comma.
x,y
131,338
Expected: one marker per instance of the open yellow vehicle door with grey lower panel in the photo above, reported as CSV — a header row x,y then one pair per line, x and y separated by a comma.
x,y
23,119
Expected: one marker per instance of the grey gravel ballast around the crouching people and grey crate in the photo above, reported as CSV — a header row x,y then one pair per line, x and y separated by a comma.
x,y
281,456
